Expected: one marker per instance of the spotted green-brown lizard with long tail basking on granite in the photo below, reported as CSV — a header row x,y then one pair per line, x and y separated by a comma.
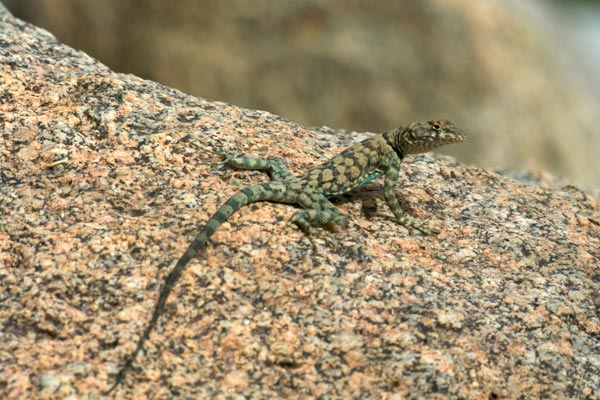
x,y
350,169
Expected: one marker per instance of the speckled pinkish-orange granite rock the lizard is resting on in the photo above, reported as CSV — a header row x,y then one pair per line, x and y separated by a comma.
x,y
101,190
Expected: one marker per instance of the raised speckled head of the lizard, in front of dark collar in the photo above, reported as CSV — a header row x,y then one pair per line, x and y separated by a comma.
x,y
423,136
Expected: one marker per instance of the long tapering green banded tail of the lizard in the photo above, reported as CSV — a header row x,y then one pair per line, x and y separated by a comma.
x,y
259,192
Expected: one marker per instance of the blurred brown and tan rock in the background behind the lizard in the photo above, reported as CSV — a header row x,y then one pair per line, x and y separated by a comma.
x,y
508,71
